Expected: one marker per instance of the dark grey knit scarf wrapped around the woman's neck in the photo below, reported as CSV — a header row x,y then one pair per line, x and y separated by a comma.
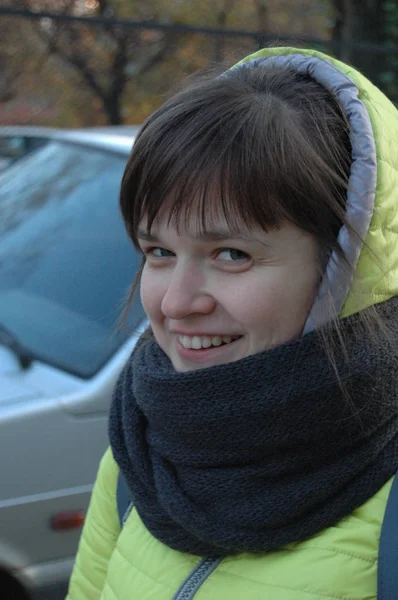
x,y
257,453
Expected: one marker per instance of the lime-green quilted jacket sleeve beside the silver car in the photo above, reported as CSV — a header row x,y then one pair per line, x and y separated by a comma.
x,y
99,536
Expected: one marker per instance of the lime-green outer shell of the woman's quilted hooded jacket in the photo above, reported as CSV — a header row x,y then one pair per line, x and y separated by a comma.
x,y
339,563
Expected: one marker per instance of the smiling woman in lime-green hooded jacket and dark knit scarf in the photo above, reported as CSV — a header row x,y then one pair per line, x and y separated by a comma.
x,y
256,425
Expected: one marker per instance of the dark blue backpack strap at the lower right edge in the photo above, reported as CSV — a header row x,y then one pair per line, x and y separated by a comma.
x,y
387,587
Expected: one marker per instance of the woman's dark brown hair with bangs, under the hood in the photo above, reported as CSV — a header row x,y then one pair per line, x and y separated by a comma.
x,y
273,142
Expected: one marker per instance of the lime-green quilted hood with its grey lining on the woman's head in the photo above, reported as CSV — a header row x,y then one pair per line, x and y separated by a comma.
x,y
372,198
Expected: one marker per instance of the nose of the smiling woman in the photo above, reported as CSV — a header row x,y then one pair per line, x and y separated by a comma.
x,y
186,295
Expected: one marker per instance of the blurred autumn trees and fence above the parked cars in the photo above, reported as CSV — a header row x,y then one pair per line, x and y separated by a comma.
x,y
74,63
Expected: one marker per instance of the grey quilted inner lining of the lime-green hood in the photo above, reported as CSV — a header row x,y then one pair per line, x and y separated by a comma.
x,y
337,279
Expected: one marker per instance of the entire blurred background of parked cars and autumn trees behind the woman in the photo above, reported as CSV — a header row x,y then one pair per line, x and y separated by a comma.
x,y
66,264
